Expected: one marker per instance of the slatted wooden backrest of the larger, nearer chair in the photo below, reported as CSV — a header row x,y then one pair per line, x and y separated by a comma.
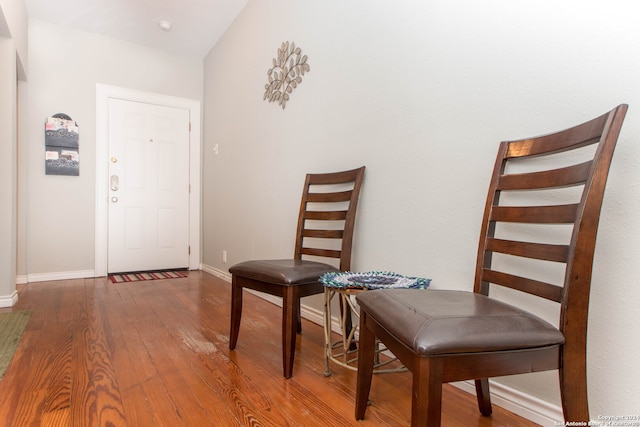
x,y
527,204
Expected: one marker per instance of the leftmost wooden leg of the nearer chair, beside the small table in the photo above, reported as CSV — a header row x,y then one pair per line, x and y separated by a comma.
x,y
366,354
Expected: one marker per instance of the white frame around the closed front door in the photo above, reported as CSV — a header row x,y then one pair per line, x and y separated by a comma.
x,y
103,94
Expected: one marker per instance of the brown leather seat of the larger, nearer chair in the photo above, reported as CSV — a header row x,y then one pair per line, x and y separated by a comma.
x,y
437,322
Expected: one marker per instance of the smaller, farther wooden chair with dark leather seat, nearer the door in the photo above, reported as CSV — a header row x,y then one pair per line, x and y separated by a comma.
x,y
325,230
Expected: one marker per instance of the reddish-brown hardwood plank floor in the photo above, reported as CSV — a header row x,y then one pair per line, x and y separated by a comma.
x,y
156,354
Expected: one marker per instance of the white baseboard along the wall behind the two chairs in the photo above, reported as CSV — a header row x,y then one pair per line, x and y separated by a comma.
x,y
524,405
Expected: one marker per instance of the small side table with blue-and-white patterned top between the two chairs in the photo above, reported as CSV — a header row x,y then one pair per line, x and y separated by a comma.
x,y
346,285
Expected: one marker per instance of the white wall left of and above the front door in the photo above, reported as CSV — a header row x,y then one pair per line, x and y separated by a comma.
x,y
65,67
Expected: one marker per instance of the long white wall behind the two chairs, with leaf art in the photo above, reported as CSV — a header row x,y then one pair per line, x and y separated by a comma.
x,y
421,93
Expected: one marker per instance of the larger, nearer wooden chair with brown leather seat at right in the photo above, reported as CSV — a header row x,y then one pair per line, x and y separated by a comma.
x,y
542,248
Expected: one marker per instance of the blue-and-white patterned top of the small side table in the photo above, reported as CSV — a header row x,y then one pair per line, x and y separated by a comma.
x,y
372,280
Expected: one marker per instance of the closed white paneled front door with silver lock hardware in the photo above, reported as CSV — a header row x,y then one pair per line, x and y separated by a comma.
x,y
148,207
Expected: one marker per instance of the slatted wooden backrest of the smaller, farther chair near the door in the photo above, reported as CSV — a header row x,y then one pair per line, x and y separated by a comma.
x,y
327,215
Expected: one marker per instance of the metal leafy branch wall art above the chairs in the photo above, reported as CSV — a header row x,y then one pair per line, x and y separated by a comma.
x,y
286,74
